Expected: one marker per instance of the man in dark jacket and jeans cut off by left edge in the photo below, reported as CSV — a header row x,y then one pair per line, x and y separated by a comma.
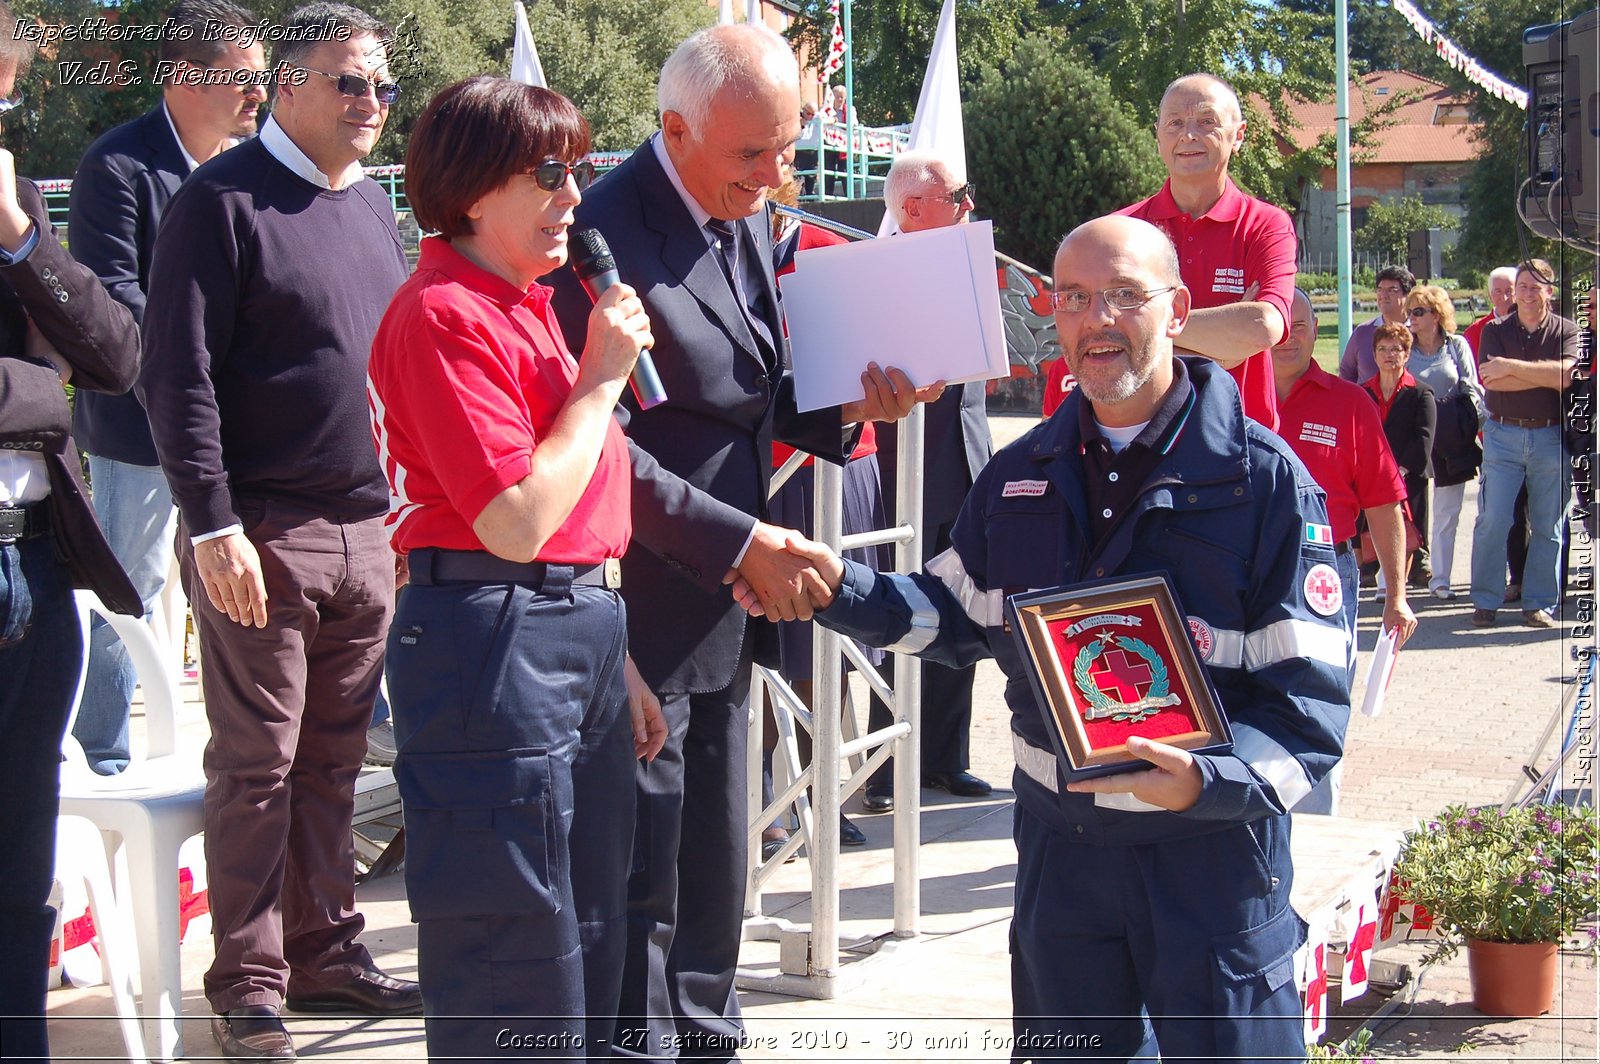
x,y
57,326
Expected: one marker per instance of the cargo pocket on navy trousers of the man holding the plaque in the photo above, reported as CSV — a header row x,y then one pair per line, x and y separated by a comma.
x,y
1255,977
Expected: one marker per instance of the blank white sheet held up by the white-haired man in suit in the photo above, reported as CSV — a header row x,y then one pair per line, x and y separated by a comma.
x,y
927,303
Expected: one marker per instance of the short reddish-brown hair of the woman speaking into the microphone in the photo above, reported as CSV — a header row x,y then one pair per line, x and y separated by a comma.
x,y
476,137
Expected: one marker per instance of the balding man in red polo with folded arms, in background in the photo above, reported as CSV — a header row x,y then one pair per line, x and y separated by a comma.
x,y
1228,242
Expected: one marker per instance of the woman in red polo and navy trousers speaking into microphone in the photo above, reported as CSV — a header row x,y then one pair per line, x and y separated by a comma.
x,y
514,710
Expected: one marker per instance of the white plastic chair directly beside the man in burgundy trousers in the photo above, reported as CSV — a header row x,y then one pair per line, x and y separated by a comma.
x,y
146,814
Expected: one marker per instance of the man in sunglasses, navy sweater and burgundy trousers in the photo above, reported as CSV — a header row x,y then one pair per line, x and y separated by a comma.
x,y
273,270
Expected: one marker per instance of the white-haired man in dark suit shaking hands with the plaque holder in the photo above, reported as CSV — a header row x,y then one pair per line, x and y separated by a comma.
x,y
686,218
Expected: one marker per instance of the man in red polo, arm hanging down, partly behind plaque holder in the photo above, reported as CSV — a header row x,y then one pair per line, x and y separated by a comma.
x,y
1335,430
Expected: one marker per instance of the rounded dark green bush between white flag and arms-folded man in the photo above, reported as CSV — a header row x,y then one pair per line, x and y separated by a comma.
x,y
1050,146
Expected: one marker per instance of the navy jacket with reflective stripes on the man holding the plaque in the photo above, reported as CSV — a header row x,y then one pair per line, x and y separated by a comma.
x,y
1225,514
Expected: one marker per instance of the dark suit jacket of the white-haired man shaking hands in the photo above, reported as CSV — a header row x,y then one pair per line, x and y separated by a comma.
x,y
702,460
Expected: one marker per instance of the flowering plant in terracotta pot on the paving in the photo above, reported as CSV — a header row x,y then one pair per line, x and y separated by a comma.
x,y
1514,886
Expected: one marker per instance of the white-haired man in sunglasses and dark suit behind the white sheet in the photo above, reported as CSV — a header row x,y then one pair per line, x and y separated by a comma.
x,y
927,191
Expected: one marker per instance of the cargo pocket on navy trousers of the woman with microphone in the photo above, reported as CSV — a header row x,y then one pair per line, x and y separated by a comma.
x,y
481,834
